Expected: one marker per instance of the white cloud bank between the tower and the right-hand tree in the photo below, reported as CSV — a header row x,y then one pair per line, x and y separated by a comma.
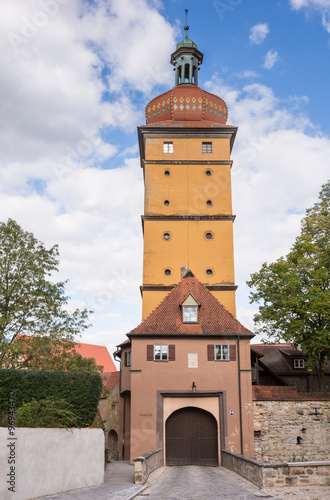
x,y
280,163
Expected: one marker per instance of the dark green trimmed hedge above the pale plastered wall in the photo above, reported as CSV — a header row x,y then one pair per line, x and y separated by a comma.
x,y
82,390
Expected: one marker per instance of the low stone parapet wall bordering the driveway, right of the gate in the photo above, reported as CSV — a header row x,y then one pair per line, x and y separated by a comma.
x,y
275,475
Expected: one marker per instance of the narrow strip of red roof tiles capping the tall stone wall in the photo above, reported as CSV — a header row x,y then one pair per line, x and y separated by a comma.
x,y
286,393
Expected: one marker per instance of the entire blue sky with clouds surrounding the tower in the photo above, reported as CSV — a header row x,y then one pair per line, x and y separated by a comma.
x,y
76,77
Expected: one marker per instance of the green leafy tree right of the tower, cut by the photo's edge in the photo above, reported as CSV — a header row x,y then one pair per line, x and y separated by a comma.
x,y
294,291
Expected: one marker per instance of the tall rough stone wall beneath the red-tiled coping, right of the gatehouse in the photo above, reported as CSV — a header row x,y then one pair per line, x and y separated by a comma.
x,y
292,431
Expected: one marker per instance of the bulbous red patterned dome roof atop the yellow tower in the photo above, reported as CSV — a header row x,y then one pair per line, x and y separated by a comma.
x,y
187,103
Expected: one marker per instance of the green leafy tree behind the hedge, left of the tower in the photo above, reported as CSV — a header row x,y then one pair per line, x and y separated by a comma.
x,y
36,329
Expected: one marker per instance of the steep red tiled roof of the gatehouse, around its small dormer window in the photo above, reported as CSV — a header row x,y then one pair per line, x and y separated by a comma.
x,y
213,317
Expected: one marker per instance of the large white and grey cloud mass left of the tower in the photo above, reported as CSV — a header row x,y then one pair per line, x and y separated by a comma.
x,y
72,76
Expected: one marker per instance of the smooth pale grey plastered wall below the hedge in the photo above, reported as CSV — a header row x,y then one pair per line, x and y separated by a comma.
x,y
40,462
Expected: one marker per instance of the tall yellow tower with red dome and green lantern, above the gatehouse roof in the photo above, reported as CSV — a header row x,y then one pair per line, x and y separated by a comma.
x,y
185,151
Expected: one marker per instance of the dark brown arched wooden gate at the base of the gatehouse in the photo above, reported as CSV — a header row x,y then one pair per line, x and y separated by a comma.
x,y
191,437
